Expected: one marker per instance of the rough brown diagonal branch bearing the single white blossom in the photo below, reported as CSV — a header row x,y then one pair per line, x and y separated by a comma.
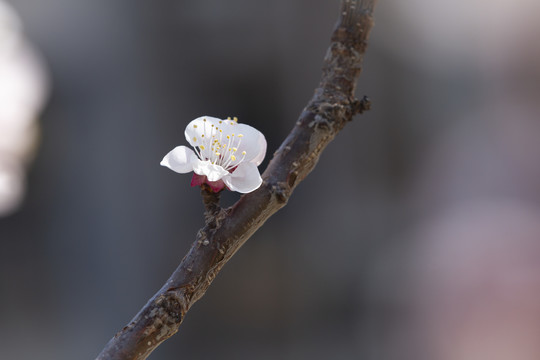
x,y
226,230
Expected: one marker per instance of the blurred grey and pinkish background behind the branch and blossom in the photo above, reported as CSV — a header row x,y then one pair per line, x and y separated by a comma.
x,y
416,237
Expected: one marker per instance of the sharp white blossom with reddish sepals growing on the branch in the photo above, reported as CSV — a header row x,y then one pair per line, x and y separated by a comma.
x,y
226,154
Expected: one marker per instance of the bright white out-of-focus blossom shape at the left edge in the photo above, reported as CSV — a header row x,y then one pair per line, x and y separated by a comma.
x,y
23,89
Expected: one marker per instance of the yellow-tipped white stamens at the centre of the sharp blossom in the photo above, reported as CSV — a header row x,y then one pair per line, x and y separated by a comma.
x,y
219,148
